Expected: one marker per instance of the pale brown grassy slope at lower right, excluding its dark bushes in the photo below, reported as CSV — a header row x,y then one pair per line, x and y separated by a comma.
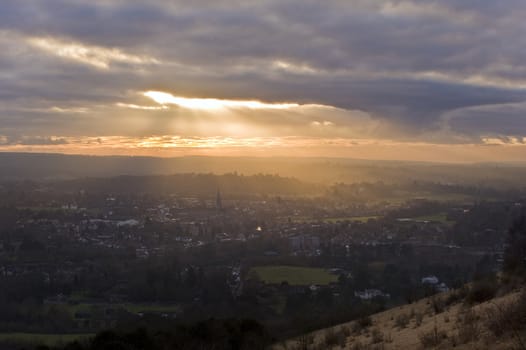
x,y
448,323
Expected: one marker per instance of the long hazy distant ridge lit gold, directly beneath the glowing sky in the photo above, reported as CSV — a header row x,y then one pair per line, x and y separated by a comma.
x,y
322,170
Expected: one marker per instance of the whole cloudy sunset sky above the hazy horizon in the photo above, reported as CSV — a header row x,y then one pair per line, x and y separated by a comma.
x,y
411,80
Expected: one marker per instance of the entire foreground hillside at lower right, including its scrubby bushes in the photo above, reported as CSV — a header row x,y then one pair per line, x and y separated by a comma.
x,y
443,321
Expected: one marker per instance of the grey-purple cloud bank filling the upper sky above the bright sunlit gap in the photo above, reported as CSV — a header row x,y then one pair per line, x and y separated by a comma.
x,y
407,64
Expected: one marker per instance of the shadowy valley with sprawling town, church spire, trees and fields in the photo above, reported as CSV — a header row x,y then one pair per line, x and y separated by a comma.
x,y
77,258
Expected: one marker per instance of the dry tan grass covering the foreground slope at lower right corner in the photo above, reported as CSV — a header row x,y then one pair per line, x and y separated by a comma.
x,y
421,325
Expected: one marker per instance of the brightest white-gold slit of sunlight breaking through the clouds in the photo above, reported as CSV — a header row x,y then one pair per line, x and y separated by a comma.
x,y
165,98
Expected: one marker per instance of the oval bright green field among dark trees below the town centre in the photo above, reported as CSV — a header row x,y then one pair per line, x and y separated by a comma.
x,y
300,276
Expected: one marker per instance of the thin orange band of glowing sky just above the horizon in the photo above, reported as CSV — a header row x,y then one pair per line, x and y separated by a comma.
x,y
174,146
